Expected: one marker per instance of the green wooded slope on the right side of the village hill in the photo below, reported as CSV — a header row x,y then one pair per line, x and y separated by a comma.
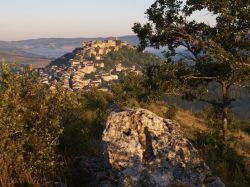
x,y
129,57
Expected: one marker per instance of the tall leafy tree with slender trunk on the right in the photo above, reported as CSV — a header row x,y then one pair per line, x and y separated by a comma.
x,y
217,53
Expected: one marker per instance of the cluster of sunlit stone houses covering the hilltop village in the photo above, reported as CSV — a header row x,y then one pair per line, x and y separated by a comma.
x,y
87,69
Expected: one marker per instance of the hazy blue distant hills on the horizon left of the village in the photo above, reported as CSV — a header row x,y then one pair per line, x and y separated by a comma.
x,y
40,52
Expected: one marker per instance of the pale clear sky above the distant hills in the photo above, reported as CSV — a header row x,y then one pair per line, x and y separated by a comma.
x,y
26,19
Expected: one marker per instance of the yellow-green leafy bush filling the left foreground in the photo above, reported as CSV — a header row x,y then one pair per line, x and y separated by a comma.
x,y
30,126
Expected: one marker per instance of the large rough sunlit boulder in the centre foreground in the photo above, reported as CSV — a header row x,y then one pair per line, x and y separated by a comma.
x,y
142,149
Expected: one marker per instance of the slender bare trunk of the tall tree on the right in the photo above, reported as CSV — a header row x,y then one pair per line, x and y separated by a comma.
x,y
225,106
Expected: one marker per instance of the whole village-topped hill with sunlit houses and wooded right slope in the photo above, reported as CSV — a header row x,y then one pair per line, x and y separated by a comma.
x,y
97,64
